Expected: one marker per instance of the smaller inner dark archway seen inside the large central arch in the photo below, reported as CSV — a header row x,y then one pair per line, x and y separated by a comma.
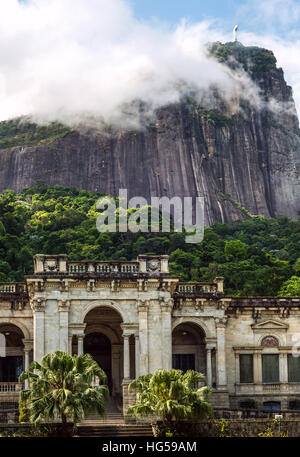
x,y
98,346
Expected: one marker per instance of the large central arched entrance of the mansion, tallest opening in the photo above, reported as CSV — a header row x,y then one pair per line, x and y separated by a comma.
x,y
104,342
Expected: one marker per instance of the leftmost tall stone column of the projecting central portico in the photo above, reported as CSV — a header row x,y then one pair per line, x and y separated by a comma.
x,y
38,308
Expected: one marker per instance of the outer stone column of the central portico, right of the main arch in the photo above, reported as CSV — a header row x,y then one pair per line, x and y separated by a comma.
x,y
166,334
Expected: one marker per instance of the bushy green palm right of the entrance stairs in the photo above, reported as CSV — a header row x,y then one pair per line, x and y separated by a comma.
x,y
173,396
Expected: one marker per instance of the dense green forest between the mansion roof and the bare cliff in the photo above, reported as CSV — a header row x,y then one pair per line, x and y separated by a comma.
x,y
256,256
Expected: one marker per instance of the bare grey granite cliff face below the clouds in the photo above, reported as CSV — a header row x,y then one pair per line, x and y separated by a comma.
x,y
246,160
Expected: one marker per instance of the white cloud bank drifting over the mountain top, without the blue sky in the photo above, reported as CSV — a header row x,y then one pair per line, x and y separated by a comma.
x,y
68,60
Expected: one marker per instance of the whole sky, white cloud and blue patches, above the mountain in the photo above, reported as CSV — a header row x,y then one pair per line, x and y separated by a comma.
x,y
67,58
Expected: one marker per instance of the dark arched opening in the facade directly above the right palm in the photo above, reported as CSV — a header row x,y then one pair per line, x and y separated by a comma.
x,y
188,348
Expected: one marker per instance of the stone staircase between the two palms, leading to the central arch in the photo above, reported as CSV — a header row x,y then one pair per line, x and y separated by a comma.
x,y
112,425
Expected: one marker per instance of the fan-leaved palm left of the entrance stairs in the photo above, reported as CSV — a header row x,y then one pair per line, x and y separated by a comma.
x,y
63,386
